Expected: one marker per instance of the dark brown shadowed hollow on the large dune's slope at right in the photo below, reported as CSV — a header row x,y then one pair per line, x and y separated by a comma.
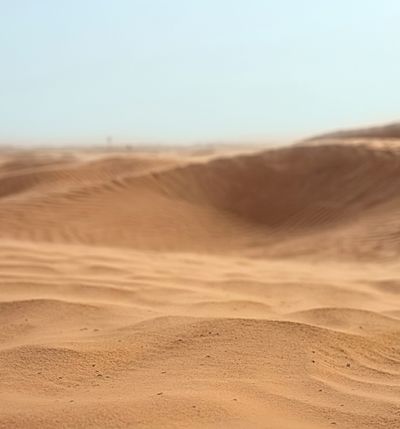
x,y
299,186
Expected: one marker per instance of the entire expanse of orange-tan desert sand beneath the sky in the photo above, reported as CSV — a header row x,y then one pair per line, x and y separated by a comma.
x,y
176,289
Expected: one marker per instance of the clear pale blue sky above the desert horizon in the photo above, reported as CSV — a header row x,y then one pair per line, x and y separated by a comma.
x,y
190,71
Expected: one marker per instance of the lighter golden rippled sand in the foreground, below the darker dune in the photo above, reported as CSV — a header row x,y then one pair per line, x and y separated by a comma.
x,y
93,337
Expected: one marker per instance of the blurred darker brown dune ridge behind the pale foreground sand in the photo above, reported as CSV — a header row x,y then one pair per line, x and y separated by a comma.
x,y
274,203
